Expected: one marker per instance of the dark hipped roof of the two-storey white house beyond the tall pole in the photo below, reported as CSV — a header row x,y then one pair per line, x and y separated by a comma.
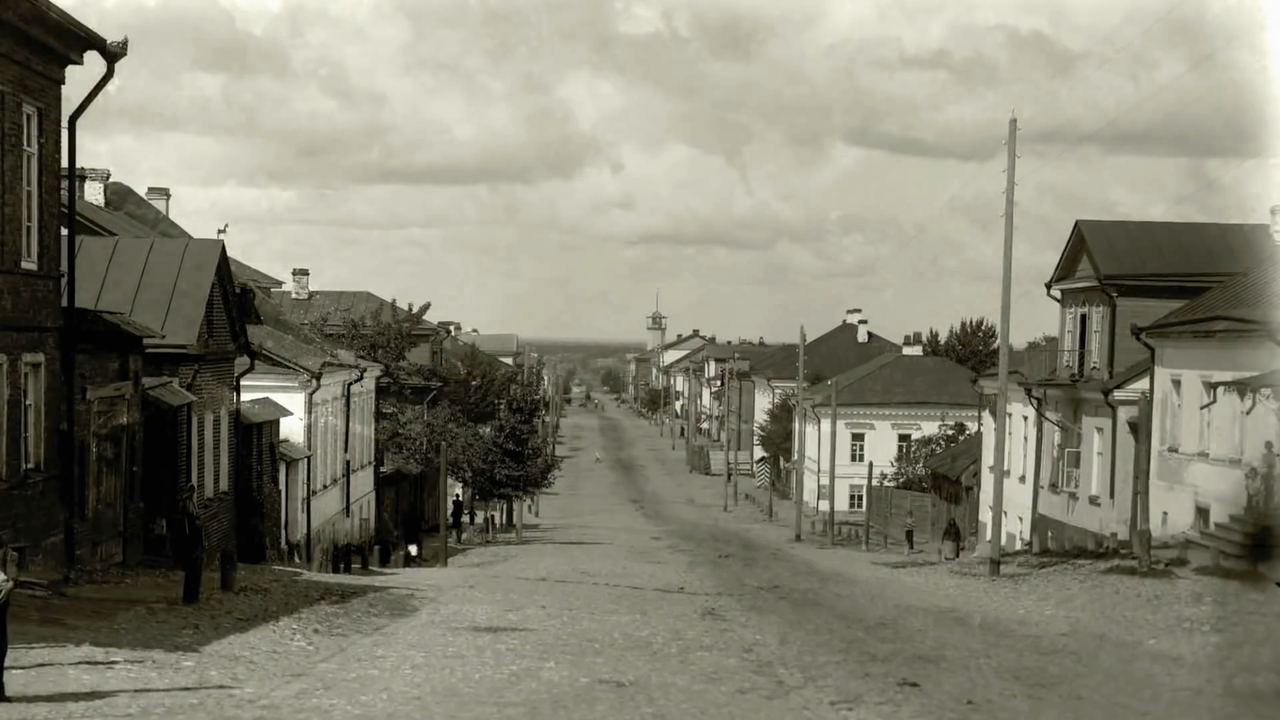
x,y
900,380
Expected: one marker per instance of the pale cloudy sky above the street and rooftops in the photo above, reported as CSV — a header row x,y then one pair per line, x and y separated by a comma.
x,y
545,166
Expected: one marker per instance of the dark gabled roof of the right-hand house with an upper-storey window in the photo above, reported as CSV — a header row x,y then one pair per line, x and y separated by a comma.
x,y
1131,250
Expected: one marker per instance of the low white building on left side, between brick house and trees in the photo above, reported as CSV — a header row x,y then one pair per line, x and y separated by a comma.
x,y
327,476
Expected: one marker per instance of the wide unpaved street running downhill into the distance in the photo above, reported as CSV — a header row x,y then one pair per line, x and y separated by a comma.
x,y
637,596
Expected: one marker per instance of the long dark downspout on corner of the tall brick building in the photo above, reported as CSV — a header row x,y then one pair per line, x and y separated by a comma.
x,y
115,53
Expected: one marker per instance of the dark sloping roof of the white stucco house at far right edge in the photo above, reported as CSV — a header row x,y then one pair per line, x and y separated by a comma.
x,y
1247,302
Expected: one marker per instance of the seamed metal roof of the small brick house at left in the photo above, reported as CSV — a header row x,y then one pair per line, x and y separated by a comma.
x,y
159,284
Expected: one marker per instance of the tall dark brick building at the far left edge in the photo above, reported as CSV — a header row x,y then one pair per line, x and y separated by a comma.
x,y
38,43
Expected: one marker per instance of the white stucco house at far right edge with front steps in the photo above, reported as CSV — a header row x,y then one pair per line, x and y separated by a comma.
x,y
1215,417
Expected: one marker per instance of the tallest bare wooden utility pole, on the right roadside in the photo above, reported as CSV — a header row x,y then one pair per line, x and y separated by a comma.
x,y
998,486
